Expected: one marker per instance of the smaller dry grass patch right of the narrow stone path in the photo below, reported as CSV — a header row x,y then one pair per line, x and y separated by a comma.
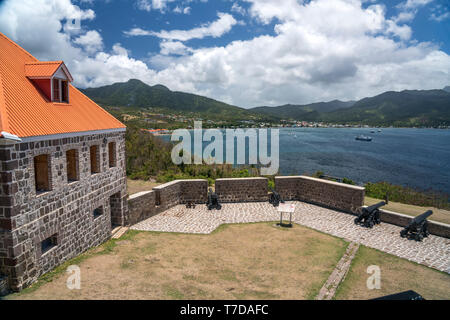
x,y
397,275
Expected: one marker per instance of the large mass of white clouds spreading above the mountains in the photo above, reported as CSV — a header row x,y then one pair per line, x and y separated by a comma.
x,y
320,50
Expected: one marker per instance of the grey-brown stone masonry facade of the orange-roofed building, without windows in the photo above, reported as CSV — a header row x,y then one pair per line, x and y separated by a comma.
x,y
65,212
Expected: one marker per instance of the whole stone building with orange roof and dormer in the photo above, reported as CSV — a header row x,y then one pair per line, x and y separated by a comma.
x,y
62,168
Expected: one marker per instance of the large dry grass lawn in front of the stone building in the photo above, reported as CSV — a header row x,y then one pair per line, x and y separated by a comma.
x,y
248,261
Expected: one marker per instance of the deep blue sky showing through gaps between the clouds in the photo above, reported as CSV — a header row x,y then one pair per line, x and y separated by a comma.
x,y
115,16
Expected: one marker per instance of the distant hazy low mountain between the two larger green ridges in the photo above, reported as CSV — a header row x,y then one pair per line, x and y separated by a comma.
x,y
304,112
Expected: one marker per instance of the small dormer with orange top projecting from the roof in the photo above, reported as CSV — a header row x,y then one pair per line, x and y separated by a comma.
x,y
52,78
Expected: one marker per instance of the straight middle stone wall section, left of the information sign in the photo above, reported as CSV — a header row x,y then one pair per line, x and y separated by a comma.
x,y
242,189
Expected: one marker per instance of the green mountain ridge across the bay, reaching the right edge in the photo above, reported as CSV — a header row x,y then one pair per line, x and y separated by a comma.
x,y
406,108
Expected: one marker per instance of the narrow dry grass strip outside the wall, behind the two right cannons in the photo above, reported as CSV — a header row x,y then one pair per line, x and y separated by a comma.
x,y
438,214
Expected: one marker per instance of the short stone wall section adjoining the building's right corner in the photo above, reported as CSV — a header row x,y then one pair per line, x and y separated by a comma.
x,y
141,206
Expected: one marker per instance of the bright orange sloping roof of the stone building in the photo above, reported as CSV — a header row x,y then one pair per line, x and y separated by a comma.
x,y
24,110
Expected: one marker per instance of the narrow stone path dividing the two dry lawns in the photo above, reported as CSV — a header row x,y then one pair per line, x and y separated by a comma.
x,y
338,275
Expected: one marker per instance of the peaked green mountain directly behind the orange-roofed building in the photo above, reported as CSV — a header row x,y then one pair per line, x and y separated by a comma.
x,y
136,93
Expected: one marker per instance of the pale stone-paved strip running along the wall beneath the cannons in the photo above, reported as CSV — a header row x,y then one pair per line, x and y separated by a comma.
x,y
433,251
